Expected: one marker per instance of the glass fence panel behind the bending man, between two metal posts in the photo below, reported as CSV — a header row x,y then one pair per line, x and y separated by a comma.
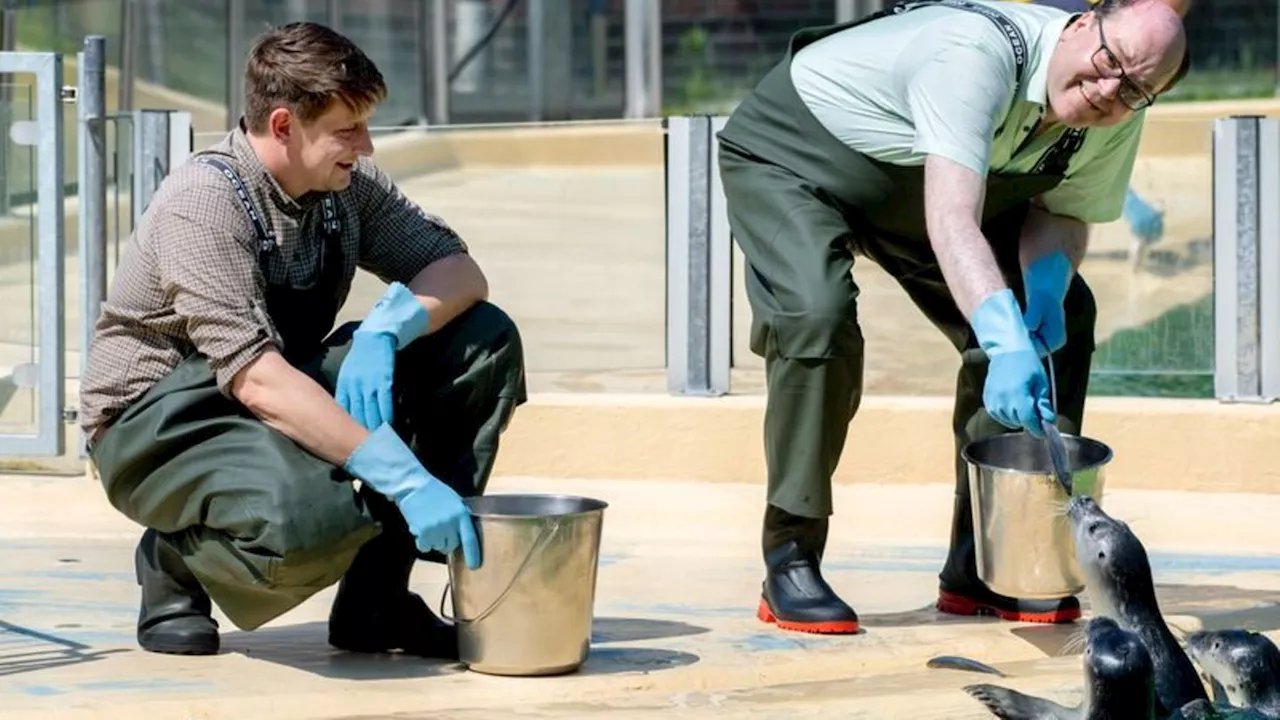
x,y
1154,291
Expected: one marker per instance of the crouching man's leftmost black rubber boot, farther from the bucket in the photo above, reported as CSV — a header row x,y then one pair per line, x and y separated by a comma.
x,y
177,614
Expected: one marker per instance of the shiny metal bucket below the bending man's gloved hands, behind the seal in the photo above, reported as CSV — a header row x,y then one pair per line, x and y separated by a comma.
x,y
1022,536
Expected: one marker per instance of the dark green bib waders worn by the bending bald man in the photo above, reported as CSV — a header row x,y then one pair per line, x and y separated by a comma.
x,y
803,207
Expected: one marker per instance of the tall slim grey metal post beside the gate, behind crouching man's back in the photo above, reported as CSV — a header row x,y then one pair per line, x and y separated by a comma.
x,y
92,186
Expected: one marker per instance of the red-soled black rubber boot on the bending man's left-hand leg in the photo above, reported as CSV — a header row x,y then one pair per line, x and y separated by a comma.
x,y
796,596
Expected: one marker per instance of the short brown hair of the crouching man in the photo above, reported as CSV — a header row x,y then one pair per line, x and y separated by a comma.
x,y
307,67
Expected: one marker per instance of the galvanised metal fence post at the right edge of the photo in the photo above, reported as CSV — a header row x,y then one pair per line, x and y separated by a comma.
x,y
1246,259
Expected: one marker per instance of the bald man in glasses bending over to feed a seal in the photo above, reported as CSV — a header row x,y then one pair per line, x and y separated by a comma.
x,y
963,147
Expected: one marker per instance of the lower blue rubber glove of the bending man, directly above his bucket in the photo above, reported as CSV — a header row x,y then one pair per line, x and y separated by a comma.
x,y
1017,391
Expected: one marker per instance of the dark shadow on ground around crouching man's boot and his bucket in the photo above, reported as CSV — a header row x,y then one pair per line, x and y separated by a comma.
x,y
307,648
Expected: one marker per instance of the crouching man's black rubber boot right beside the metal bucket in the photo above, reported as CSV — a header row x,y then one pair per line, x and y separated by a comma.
x,y
374,610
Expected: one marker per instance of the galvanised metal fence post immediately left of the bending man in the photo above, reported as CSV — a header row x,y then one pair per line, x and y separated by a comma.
x,y
700,262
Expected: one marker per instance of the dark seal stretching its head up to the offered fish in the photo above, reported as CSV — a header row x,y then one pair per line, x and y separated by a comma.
x,y
1118,578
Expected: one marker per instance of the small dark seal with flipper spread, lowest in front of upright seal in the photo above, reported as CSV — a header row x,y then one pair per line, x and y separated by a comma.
x,y
1118,682
